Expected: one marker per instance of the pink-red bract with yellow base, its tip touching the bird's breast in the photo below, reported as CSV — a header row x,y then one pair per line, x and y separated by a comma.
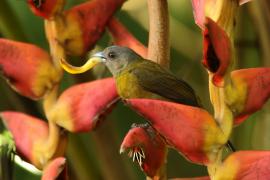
x,y
79,108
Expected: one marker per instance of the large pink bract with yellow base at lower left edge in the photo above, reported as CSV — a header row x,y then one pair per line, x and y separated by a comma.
x,y
30,135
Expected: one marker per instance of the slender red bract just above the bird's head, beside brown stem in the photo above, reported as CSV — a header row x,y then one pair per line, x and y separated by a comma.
x,y
123,37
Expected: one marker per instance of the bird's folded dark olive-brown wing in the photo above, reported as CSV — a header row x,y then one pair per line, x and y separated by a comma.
x,y
158,80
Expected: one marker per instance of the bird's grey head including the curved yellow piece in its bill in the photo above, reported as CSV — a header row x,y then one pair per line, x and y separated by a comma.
x,y
116,58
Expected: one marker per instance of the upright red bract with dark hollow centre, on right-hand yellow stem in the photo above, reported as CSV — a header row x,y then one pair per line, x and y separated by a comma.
x,y
216,53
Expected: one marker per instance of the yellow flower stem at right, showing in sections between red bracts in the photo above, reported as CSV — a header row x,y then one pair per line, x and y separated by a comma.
x,y
225,18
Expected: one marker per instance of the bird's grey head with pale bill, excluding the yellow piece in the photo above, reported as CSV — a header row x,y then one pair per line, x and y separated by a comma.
x,y
117,58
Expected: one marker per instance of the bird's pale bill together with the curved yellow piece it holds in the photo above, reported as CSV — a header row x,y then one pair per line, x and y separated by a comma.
x,y
95,59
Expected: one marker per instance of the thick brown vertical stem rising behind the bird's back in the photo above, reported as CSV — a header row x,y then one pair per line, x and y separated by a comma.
x,y
158,44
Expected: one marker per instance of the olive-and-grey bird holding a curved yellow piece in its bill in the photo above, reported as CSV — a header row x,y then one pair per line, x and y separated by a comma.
x,y
137,77
